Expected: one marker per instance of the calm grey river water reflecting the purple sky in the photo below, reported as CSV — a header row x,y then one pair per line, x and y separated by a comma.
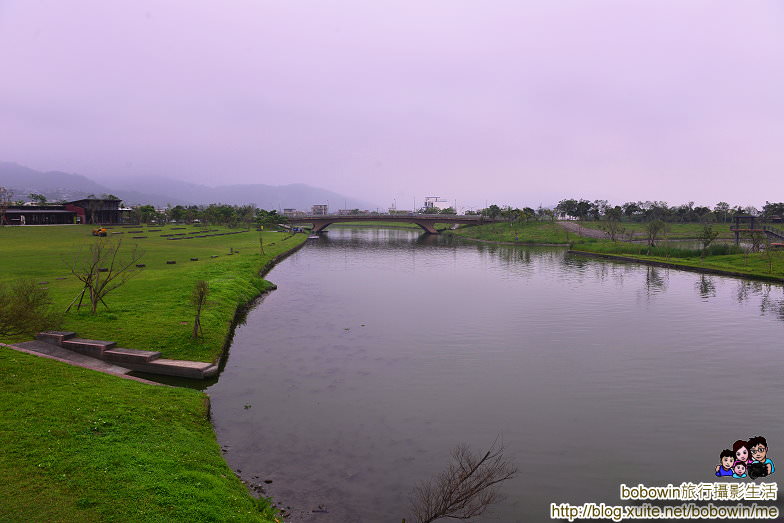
x,y
382,349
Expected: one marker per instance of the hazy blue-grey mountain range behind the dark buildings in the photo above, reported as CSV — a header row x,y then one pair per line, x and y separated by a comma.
x,y
160,192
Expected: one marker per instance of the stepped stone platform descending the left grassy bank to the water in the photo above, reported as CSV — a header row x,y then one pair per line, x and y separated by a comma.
x,y
128,359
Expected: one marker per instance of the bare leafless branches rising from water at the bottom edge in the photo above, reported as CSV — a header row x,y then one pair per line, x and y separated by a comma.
x,y
466,488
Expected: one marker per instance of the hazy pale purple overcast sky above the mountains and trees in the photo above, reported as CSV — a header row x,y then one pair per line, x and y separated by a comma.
x,y
517,102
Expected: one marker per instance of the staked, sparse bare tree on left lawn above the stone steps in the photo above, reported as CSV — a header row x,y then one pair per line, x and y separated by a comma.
x,y
103,268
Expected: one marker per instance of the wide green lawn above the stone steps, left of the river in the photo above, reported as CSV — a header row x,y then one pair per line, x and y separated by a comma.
x,y
151,311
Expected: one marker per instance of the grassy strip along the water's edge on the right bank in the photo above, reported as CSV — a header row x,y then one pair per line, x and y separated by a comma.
x,y
723,258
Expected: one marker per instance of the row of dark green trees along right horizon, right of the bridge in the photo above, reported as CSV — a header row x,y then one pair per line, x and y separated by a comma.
x,y
658,210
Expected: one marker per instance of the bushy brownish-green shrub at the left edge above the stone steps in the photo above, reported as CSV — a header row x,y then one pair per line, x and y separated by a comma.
x,y
25,308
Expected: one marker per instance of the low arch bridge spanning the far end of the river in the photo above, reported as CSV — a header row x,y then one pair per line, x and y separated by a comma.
x,y
426,221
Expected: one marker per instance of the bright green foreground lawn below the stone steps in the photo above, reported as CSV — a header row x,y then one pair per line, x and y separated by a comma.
x,y
78,445
